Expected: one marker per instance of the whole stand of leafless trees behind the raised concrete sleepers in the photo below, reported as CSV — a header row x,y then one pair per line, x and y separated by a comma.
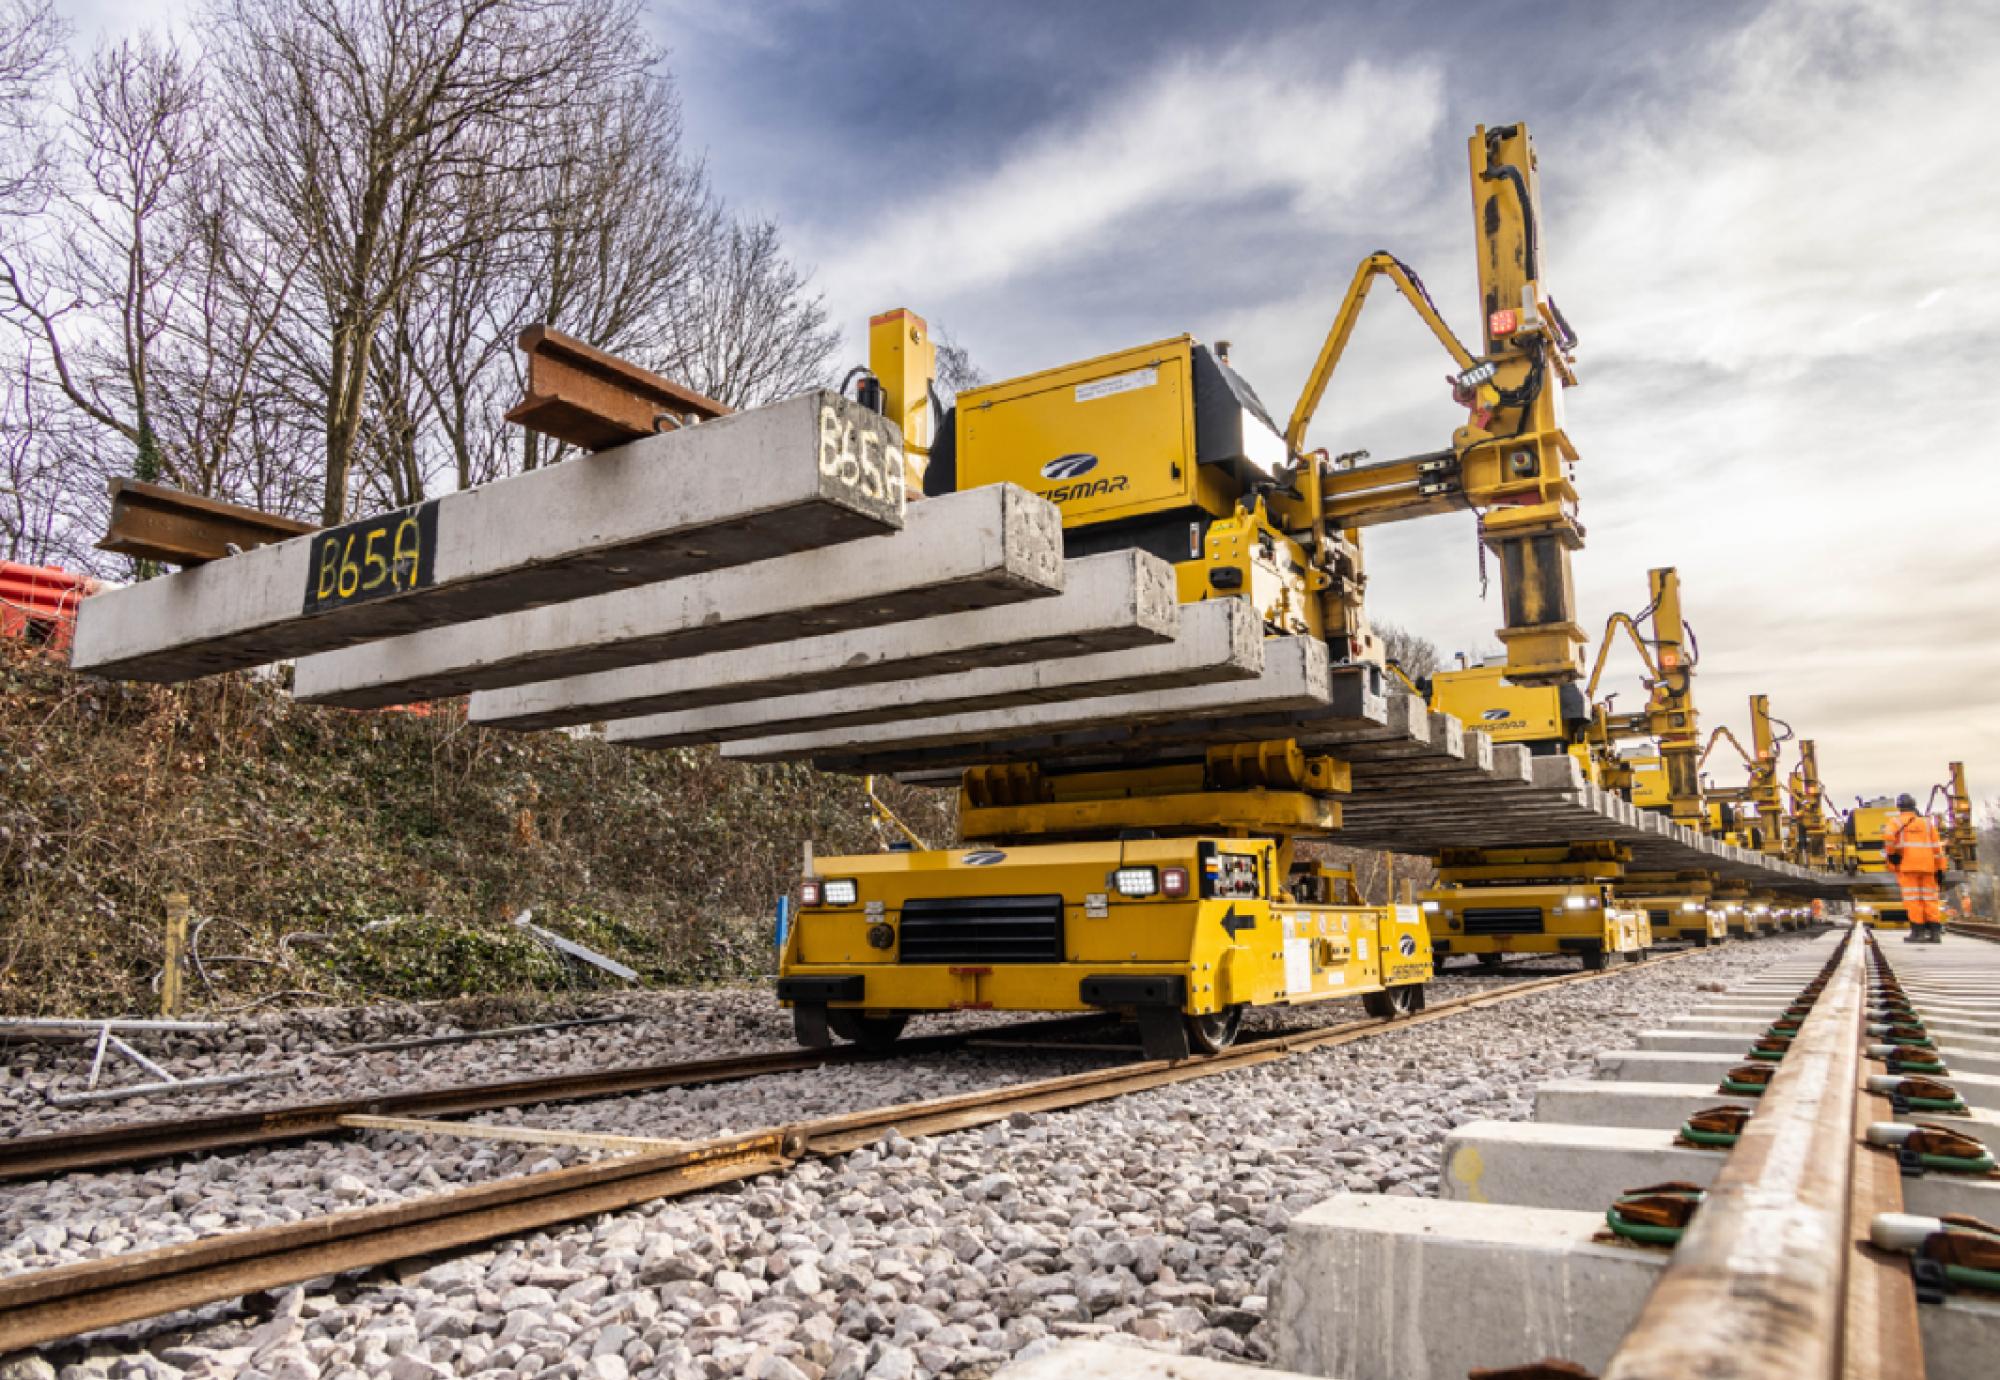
x,y
295,273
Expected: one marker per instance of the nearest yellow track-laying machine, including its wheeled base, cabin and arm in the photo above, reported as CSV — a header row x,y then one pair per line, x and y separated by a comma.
x,y
1171,891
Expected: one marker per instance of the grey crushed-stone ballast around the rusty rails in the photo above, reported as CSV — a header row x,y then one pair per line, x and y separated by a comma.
x,y
1157,1217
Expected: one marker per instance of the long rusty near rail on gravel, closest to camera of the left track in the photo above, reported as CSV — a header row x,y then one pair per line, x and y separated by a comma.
x,y
91,1295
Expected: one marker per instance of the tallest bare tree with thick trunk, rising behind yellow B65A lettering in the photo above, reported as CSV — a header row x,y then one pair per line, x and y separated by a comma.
x,y
371,135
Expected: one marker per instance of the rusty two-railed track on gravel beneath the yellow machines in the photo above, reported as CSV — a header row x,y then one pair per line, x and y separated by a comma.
x,y
69,1301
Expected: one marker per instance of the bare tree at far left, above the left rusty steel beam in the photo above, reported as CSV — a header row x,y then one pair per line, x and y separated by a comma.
x,y
139,305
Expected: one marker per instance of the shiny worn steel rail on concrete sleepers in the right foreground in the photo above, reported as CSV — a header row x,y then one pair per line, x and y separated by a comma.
x,y
1757,1287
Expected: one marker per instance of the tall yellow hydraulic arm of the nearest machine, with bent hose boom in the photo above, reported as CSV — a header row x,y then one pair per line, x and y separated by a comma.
x,y
1511,461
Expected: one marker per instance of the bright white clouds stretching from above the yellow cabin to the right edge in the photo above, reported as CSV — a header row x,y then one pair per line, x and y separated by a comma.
x,y
1777,249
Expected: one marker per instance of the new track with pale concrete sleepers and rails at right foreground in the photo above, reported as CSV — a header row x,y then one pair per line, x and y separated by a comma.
x,y
1835,1223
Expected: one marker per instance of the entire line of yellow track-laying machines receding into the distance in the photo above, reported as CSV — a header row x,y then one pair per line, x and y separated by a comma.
x,y
1175,889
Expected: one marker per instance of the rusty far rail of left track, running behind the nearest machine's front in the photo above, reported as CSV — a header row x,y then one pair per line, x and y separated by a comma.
x,y
131,1143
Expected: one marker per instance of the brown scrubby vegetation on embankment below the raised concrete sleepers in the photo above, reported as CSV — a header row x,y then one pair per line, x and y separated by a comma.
x,y
349,857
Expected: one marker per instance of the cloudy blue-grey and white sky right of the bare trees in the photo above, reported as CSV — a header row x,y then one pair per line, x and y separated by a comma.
x,y
1771,225
